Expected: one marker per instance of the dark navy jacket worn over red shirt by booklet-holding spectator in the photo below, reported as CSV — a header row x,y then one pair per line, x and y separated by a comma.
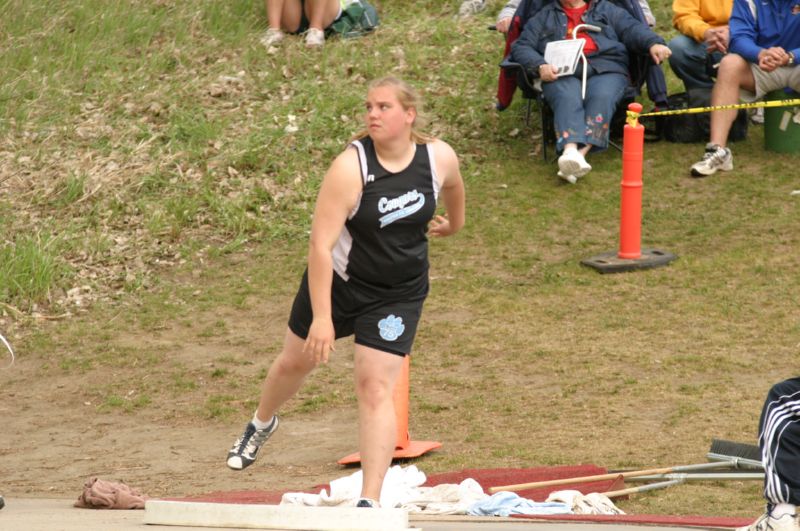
x,y
620,33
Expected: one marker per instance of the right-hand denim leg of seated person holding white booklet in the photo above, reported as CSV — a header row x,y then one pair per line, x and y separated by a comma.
x,y
603,94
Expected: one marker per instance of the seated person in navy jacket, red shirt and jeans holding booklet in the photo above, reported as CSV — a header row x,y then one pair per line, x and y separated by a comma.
x,y
582,125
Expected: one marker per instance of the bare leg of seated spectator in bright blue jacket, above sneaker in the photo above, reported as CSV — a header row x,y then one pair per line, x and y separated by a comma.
x,y
734,73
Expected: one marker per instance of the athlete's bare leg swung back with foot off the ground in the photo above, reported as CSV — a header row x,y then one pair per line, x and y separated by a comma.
x,y
285,376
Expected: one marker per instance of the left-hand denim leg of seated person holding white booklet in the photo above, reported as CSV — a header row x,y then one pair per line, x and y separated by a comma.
x,y
564,97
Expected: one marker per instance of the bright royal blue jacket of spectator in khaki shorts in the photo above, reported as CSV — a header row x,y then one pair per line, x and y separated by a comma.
x,y
758,24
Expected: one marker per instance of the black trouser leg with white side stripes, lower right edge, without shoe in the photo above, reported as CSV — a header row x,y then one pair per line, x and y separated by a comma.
x,y
779,438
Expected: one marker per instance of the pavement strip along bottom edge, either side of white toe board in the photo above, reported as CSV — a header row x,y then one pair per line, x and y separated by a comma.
x,y
58,514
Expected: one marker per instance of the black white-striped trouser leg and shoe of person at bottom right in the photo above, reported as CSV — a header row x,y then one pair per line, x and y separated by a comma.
x,y
779,440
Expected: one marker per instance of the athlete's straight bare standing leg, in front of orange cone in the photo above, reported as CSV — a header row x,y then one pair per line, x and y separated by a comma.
x,y
376,373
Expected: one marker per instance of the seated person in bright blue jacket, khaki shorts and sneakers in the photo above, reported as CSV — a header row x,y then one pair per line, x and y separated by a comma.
x,y
764,48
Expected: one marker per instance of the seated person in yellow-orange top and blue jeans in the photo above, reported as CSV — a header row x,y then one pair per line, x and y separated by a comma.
x,y
703,40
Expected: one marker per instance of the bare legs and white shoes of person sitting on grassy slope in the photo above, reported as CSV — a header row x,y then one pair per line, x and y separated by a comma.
x,y
298,16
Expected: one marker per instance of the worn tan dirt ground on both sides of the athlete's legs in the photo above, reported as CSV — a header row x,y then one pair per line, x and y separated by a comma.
x,y
57,432
